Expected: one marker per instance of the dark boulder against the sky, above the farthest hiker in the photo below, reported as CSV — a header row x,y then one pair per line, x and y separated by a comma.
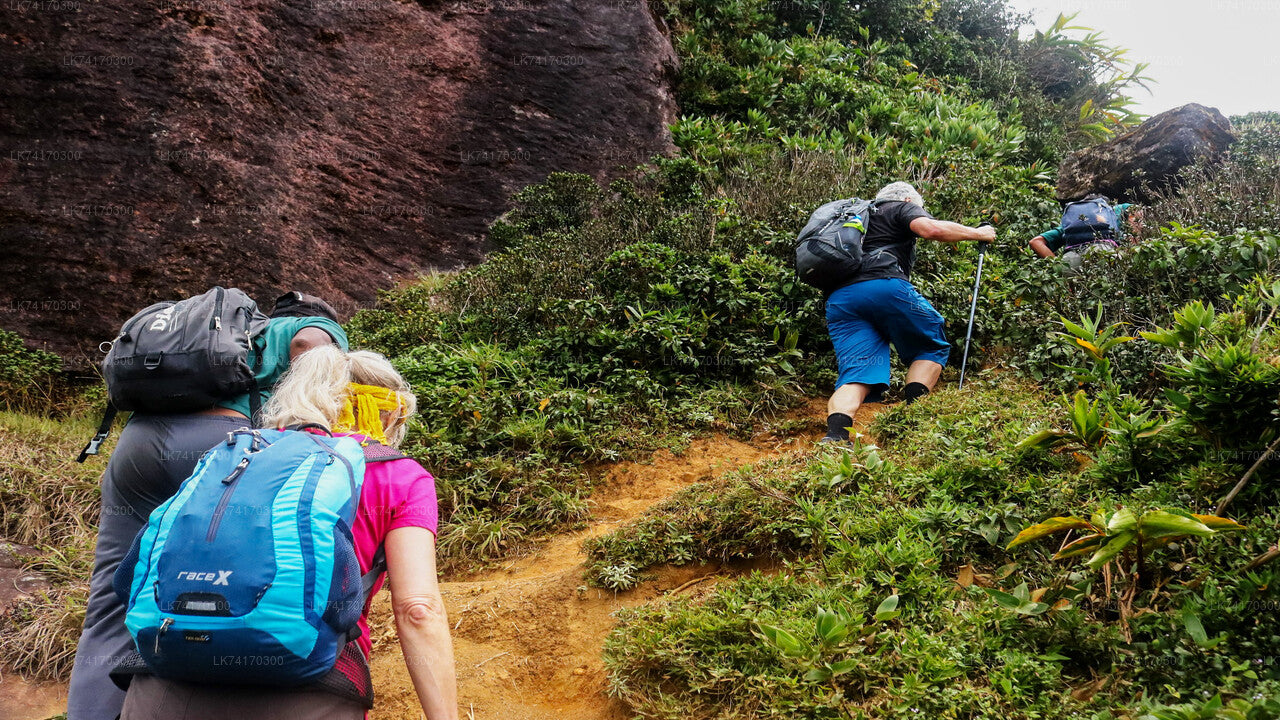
x,y
1153,153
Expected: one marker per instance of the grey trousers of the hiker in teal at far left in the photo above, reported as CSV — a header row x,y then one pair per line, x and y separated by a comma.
x,y
153,457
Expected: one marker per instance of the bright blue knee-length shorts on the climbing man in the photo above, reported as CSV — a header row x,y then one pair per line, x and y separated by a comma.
x,y
865,318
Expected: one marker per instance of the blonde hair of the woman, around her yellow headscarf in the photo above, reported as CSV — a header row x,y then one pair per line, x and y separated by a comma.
x,y
317,389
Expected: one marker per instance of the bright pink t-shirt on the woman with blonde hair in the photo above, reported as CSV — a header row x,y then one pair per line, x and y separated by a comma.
x,y
397,494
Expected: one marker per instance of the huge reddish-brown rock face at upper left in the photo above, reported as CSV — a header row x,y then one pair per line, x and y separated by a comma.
x,y
152,149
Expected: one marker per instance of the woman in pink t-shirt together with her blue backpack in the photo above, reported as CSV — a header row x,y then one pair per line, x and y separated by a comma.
x,y
363,399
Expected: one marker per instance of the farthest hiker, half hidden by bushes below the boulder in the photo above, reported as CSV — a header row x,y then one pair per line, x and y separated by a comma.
x,y
1089,225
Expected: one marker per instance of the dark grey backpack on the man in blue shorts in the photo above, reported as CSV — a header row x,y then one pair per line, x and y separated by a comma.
x,y
830,248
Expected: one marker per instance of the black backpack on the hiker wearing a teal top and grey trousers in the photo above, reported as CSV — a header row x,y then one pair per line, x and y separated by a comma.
x,y
181,358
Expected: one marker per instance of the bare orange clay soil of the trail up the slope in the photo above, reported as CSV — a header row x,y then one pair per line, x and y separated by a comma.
x,y
528,637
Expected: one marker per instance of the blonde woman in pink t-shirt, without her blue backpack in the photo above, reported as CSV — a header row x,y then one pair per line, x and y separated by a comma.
x,y
360,395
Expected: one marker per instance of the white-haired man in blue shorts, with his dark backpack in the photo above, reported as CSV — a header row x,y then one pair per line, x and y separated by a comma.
x,y
871,303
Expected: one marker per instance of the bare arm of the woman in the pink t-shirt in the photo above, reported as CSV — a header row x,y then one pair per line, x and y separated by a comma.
x,y
422,621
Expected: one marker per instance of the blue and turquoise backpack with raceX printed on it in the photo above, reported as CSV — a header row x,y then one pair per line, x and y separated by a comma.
x,y
250,573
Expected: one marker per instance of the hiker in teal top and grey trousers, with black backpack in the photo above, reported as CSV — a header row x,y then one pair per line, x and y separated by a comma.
x,y
161,445
